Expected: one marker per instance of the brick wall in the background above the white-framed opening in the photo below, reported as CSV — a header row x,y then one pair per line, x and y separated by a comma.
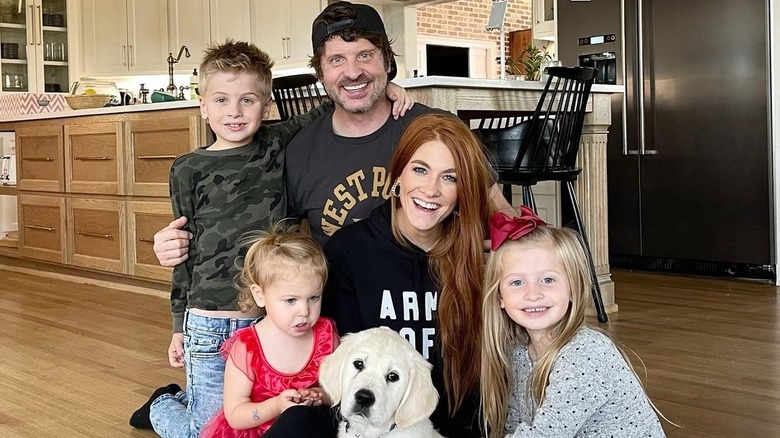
x,y
466,19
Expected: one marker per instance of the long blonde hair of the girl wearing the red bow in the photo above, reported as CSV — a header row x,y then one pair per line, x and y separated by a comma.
x,y
501,334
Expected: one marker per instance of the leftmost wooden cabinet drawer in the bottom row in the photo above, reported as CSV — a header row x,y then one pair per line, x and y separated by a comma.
x,y
42,227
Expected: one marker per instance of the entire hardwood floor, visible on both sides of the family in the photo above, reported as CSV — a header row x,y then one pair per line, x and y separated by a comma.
x,y
76,360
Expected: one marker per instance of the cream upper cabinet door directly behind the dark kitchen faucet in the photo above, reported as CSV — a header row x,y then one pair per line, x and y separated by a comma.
x,y
188,25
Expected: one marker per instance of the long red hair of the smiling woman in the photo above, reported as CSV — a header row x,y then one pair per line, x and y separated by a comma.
x,y
456,259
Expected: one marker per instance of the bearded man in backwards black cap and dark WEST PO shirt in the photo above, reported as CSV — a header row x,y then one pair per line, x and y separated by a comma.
x,y
336,168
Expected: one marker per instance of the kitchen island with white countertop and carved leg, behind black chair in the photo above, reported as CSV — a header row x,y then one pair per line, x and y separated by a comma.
x,y
475,98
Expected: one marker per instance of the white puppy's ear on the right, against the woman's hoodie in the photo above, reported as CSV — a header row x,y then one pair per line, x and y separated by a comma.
x,y
421,397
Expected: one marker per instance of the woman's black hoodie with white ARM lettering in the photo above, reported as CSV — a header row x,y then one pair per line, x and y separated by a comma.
x,y
375,281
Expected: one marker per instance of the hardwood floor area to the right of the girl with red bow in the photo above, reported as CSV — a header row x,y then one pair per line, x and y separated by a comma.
x,y
711,348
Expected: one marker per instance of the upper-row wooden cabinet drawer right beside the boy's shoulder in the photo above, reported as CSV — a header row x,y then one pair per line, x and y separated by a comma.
x,y
152,146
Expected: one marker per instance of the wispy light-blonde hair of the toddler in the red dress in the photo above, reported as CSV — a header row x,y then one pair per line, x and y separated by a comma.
x,y
279,253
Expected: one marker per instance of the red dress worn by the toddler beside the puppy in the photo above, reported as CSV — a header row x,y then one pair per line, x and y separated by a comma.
x,y
247,354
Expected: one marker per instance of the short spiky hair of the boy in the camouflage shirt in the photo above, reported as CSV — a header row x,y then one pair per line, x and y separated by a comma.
x,y
237,57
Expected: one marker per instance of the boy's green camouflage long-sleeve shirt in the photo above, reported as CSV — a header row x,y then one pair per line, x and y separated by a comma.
x,y
224,195
